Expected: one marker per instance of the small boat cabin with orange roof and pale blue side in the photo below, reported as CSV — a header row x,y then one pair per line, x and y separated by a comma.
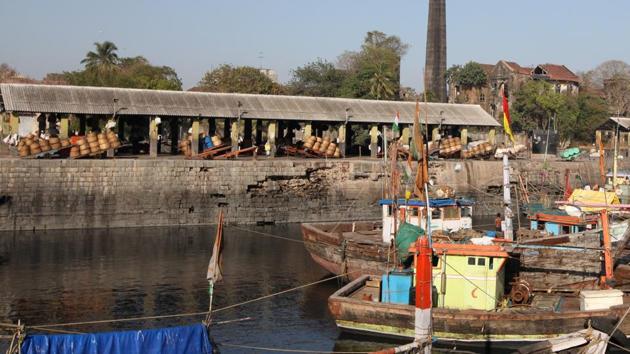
x,y
561,224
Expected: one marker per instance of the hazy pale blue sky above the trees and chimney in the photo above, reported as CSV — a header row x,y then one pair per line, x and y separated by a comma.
x,y
193,36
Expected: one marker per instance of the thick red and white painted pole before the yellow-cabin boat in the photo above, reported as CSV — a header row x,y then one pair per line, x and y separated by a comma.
x,y
423,330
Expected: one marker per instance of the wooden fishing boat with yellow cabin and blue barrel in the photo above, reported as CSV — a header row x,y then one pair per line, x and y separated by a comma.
x,y
469,302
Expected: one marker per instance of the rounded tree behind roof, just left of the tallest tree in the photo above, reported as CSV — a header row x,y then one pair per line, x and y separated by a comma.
x,y
319,78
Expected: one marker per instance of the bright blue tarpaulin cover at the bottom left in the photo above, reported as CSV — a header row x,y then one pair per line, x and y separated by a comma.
x,y
173,340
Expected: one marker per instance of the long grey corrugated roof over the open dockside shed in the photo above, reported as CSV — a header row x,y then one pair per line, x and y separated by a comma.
x,y
100,100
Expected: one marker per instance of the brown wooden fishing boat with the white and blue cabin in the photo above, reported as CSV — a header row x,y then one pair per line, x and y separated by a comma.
x,y
365,247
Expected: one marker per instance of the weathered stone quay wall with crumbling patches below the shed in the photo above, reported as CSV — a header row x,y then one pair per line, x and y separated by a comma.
x,y
53,194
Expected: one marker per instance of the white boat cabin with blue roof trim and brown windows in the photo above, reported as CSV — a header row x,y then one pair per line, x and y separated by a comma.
x,y
447,215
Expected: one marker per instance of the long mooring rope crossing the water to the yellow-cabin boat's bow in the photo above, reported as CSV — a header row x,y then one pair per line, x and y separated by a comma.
x,y
189,314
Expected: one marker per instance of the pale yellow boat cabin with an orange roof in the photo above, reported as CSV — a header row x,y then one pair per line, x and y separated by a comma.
x,y
468,276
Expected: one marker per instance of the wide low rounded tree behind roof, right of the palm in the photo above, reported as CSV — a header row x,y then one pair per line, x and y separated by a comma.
x,y
241,79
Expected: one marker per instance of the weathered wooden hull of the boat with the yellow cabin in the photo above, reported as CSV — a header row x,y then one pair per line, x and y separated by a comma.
x,y
393,320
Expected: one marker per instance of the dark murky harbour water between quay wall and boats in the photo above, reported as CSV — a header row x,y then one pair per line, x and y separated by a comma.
x,y
79,275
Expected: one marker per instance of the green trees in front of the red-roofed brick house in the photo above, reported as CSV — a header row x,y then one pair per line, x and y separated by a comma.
x,y
536,105
